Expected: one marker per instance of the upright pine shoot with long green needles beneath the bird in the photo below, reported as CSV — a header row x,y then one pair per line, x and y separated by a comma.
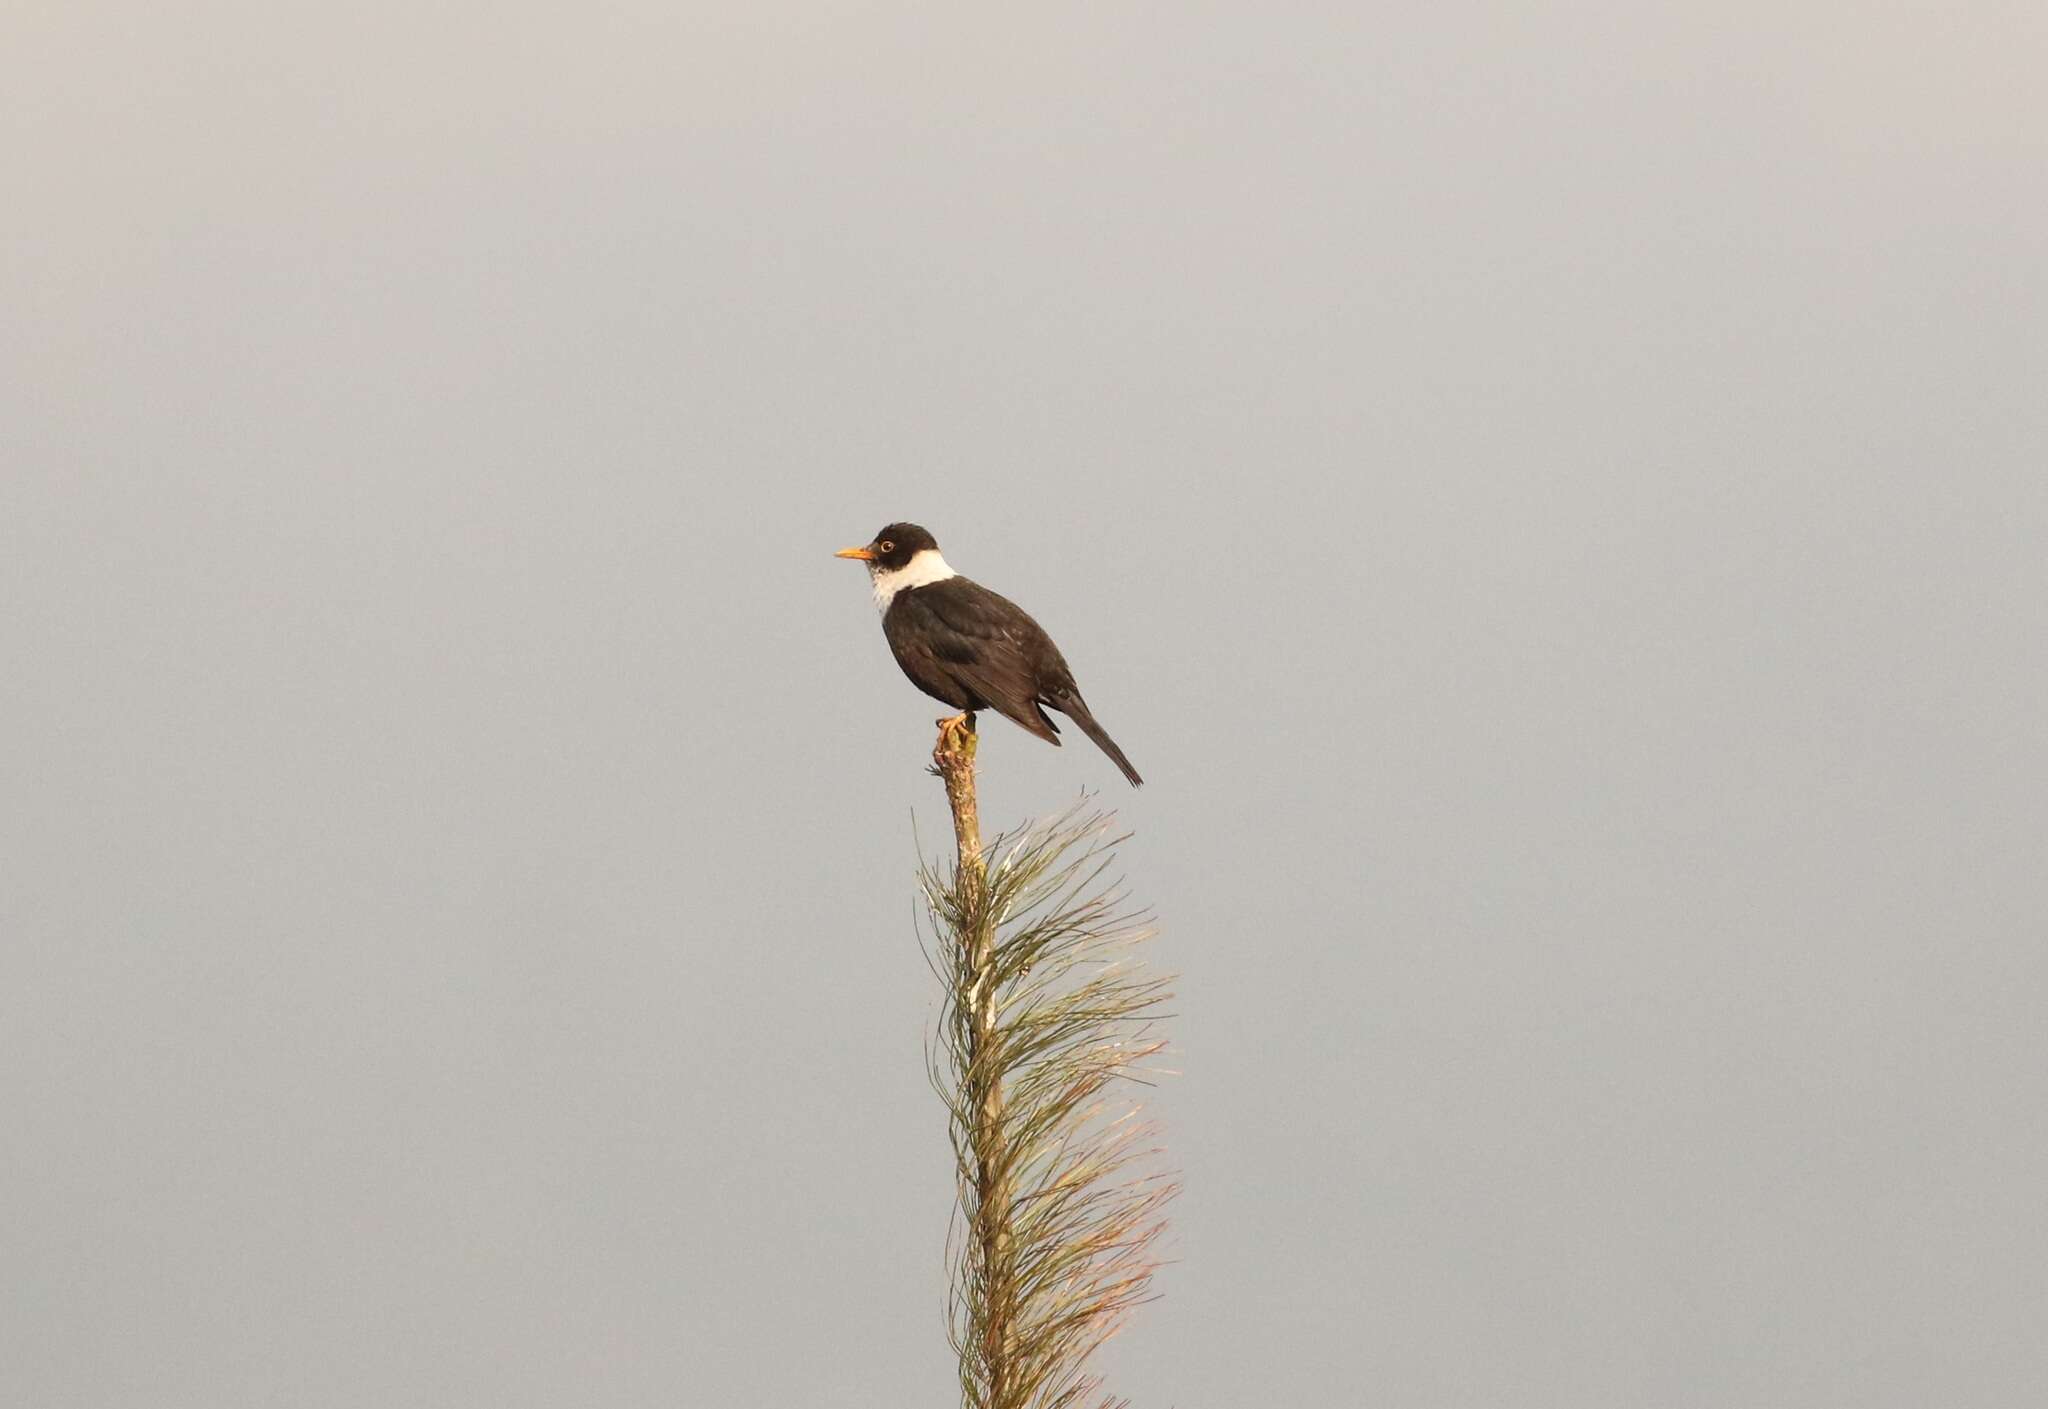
x,y
1050,1021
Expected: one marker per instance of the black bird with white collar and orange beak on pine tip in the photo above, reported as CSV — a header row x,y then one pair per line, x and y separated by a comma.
x,y
972,648
